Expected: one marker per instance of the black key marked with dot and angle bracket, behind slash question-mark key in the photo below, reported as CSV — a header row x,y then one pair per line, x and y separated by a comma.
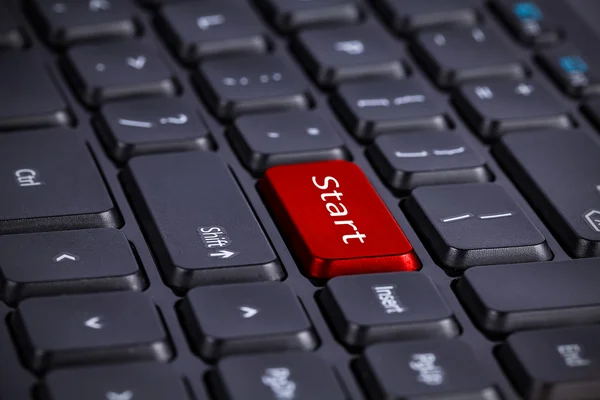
x,y
115,71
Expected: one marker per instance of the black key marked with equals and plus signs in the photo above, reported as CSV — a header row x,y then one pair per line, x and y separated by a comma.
x,y
497,107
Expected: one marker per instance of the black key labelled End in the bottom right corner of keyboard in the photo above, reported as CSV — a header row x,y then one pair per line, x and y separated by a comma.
x,y
555,364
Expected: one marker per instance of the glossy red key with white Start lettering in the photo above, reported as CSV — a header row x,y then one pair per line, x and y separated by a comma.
x,y
335,221
